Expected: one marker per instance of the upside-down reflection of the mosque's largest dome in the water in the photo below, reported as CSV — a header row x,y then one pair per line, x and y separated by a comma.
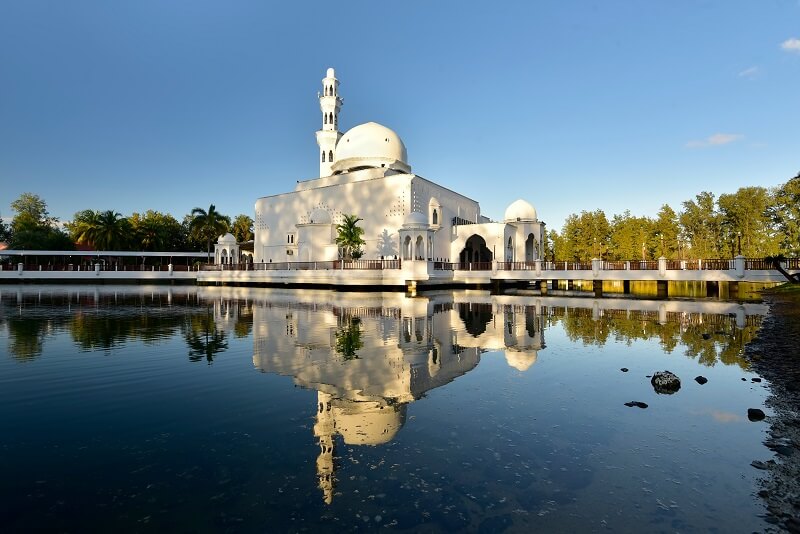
x,y
368,423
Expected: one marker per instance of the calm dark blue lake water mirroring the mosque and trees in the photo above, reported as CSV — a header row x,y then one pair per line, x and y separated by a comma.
x,y
251,410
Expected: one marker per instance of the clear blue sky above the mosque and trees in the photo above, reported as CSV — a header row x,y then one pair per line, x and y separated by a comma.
x,y
571,105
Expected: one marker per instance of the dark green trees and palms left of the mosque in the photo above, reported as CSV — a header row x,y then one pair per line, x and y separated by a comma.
x,y
33,228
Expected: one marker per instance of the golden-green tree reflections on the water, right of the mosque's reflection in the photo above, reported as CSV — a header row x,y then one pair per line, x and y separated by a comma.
x,y
707,337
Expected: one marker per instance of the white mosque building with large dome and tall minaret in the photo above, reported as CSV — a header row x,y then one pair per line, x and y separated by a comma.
x,y
366,172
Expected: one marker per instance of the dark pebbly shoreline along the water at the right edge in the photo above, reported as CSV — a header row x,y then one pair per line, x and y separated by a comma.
x,y
775,355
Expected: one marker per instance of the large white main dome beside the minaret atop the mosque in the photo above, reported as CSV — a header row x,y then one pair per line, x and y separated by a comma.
x,y
370,145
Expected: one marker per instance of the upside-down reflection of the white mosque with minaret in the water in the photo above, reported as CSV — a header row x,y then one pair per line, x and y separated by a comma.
x,y
369,356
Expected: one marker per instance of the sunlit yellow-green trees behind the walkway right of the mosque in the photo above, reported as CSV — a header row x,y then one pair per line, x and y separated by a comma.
x,y
753,222
